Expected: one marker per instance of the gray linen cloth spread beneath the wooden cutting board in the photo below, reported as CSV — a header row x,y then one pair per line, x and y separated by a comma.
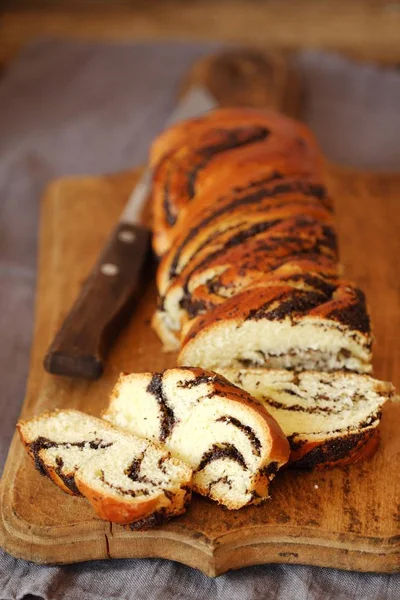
x,y
75,108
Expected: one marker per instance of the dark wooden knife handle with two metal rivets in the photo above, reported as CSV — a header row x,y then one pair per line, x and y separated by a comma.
x,y
102,306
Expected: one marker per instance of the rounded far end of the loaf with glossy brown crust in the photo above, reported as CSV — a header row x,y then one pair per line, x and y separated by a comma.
x,y
191,156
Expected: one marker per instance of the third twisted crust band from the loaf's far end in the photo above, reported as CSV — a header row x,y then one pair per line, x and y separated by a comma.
x,y
260,241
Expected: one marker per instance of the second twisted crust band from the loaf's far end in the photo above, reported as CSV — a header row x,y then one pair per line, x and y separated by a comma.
x,y
223,203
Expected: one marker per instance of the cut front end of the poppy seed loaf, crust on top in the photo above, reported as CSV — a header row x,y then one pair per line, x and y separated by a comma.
x,y
303,323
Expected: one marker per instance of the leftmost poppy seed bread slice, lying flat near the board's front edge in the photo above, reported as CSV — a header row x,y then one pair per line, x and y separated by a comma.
x,y
127,480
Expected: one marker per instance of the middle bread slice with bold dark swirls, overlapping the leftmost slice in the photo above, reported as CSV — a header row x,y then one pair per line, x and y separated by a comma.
x,y
231,442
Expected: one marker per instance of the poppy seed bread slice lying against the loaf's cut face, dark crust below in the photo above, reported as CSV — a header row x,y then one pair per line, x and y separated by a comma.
x,y
329,418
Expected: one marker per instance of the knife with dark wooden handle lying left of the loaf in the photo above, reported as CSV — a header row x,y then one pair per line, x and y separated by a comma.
x,y
116,281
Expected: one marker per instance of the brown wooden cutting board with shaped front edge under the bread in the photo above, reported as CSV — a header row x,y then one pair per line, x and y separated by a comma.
x,y
347,518
